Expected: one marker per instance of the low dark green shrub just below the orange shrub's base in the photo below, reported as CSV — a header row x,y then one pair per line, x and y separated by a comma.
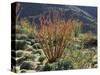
x,y
58,65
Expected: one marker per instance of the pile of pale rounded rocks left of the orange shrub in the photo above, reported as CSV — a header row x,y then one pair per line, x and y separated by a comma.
x,y
29,55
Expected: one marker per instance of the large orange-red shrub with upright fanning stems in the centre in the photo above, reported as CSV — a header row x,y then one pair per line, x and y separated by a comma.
x,y
54,37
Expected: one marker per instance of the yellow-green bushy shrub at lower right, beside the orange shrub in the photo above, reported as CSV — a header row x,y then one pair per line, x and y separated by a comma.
x,y
80,58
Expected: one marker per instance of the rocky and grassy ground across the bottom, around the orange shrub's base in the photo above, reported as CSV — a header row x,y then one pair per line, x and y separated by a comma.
x,y
31,58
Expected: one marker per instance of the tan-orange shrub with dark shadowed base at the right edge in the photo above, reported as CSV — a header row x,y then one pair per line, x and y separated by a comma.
x,y
88,40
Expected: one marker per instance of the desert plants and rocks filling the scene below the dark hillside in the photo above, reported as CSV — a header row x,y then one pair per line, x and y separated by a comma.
x,y
55,45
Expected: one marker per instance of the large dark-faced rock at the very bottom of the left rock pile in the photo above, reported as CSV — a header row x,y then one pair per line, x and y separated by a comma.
x,y
28,65
